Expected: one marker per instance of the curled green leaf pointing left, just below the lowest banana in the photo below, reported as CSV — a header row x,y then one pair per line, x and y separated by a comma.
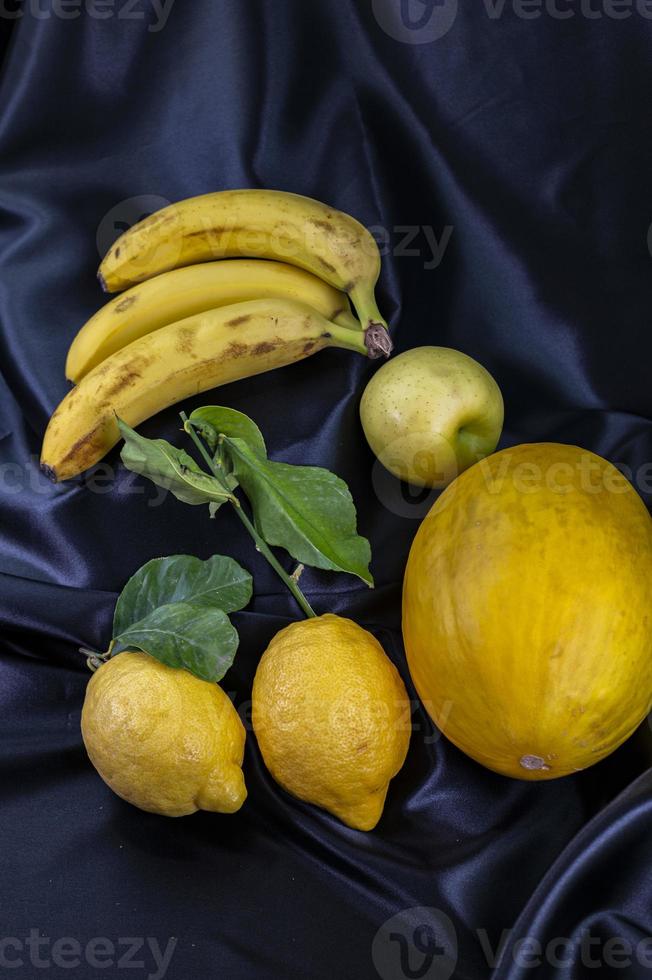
x,y
170,468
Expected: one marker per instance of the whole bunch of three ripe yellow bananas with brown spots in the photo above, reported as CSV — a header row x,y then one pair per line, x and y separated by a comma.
x,y
188,324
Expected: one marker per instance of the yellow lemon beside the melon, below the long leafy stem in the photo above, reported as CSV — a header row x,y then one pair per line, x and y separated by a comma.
x,y
332,717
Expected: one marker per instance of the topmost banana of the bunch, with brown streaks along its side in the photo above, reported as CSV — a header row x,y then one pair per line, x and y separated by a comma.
x,y
263,223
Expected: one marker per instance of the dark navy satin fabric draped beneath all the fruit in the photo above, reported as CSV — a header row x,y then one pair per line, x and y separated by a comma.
x,y
531,139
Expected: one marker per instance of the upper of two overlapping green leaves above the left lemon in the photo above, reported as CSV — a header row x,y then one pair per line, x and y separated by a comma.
x,y
219,583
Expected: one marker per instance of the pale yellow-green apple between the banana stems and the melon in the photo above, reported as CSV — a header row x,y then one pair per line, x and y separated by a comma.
x,y
430,413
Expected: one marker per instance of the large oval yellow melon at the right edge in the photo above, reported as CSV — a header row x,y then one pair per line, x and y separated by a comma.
x,y
527,611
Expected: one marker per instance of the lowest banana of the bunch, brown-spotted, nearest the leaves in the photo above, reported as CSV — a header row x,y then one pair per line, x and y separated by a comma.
x,y
182,360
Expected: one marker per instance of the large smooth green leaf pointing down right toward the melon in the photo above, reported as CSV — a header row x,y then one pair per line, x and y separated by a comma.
x,y
305,509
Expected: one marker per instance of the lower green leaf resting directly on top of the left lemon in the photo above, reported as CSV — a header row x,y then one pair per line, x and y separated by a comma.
x,y
182,634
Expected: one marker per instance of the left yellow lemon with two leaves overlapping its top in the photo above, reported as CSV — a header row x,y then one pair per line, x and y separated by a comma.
x,y
162,739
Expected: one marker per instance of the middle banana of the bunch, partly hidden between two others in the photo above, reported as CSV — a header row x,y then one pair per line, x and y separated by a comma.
x,y
184,292
